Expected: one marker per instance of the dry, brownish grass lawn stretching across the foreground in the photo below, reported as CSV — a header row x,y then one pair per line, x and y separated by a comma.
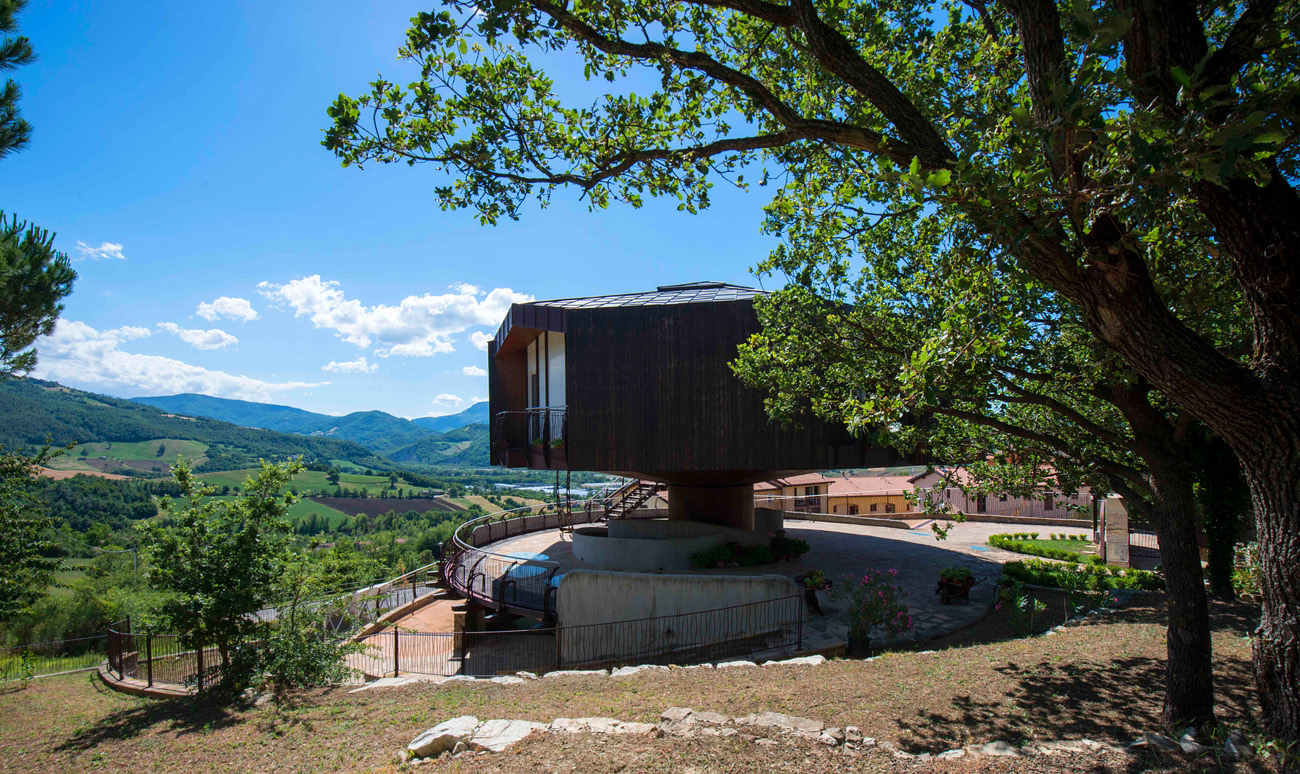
x,y
1099,681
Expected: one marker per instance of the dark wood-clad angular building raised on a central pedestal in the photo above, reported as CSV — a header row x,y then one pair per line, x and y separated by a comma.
x,y
640,386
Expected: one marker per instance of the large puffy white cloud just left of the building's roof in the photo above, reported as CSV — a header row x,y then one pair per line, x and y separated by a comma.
x,y
418,327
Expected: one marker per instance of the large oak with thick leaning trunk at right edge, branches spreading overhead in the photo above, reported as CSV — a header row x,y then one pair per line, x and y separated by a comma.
x,y
1081,139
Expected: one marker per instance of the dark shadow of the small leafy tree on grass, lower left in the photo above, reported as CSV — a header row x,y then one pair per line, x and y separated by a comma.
x,y
181,716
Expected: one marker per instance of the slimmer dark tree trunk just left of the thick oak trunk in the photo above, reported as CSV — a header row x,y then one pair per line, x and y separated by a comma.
x,y
1189,674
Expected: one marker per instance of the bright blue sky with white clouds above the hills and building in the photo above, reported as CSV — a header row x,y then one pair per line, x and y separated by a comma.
x,y
220,249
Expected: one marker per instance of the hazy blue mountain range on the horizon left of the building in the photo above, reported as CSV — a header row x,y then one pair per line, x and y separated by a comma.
x,y
421,440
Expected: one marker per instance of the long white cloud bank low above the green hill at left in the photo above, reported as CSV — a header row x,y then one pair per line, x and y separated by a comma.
x,y
79,354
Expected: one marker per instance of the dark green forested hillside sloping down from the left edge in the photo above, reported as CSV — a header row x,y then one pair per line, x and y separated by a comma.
x,y
33,410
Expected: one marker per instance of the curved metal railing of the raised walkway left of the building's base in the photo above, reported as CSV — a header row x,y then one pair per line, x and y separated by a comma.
x,y
515,582
